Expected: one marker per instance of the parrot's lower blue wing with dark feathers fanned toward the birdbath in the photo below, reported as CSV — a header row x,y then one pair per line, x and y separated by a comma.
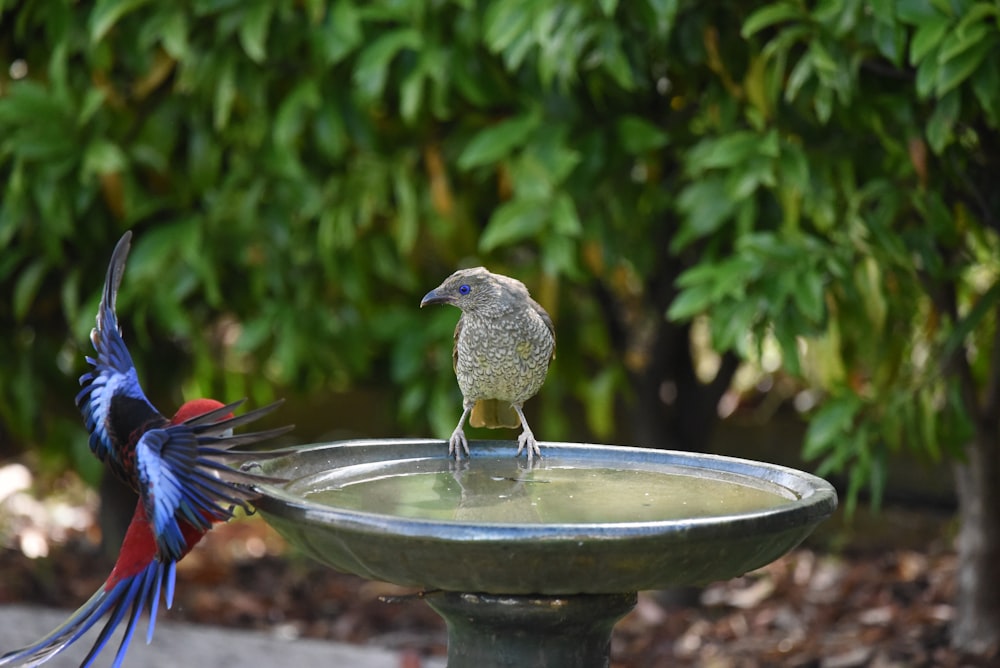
x,y
185,476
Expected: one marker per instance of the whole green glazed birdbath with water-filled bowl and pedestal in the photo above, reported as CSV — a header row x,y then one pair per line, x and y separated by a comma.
x,y
532,565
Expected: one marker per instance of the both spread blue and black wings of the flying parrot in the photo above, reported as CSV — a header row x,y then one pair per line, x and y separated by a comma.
x,y
179,471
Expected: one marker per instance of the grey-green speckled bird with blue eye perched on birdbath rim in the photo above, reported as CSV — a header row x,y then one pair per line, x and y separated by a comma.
x,y
504,342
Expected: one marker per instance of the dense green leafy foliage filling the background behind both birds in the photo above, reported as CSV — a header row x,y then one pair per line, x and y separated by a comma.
x,y
810,182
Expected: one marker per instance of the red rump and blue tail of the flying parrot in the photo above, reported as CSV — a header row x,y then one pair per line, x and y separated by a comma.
x,y
134,586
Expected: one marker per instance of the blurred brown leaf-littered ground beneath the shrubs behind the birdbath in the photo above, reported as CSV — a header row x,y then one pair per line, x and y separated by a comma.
x,y
860,606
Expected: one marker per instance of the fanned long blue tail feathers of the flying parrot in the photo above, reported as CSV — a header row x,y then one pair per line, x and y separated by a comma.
x,y
127,597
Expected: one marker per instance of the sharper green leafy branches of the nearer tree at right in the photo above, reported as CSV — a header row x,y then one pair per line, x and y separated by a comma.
x,y
848,197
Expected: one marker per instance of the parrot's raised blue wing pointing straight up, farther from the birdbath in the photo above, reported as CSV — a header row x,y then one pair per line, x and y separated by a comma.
x,y
112,401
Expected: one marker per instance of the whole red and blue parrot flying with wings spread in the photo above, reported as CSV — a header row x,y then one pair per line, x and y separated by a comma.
x,y
182,469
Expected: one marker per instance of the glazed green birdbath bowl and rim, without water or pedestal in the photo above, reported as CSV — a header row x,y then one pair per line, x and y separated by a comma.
x,y
553,558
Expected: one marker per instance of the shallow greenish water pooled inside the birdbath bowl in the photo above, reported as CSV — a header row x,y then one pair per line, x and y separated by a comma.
x,y
506,490
